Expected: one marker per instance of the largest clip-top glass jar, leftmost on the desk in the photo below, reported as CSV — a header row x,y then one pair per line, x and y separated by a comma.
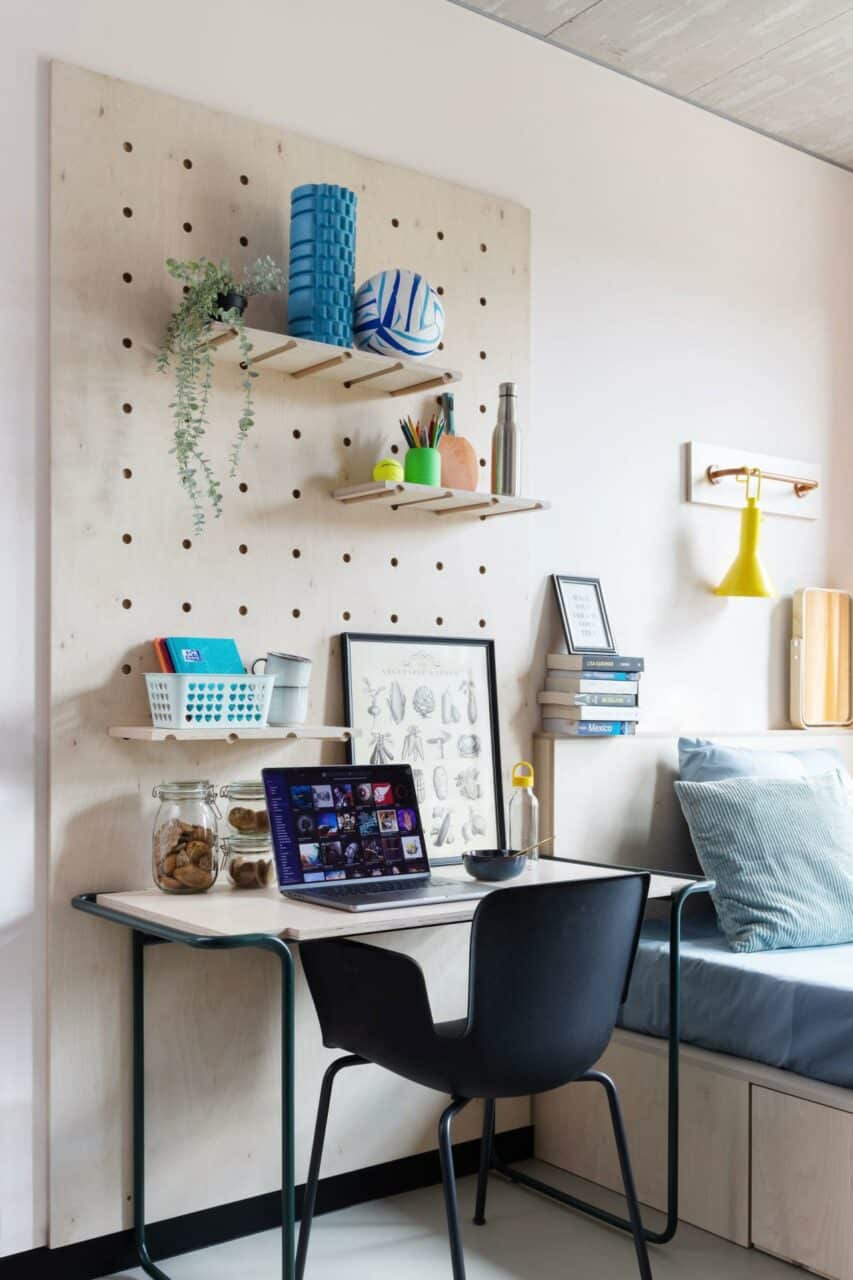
x,y
186,844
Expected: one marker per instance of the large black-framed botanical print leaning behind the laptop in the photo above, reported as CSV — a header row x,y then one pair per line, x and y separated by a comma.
x,y
432,703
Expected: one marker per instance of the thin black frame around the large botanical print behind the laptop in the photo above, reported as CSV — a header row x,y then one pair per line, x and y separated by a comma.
x,y
352,639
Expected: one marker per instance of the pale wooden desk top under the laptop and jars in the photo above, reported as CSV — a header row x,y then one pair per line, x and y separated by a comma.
x,y
225,912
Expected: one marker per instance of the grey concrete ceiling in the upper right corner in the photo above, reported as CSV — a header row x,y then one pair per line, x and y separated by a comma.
x,y
783,67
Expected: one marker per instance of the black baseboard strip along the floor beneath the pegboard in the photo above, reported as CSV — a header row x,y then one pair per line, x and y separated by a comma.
x,y
108,1254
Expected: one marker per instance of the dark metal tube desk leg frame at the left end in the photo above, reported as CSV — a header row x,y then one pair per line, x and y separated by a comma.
x,y
289,1208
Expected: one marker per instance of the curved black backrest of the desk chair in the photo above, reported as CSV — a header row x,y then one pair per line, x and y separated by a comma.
x,y
550,970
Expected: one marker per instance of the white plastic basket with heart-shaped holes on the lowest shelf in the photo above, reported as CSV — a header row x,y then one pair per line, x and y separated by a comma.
x,y
206,702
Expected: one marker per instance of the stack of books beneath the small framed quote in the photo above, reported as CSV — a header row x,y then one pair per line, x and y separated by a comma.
x,y
591,696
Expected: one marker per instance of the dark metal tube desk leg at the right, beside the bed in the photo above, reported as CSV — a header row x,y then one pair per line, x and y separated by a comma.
x,y
677,907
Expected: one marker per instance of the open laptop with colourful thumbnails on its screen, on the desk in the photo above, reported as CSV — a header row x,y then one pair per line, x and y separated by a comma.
x,y
350,836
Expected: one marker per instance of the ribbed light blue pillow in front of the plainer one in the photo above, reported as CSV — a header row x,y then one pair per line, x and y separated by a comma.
x,y
782,854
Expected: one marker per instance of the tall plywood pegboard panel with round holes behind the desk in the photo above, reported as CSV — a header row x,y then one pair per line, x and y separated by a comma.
x,y
126,566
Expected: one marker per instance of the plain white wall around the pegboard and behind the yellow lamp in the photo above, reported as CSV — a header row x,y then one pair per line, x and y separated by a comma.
x,y
691,281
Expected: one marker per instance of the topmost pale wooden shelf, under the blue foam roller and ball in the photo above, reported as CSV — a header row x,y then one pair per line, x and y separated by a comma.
x,y
362,373
